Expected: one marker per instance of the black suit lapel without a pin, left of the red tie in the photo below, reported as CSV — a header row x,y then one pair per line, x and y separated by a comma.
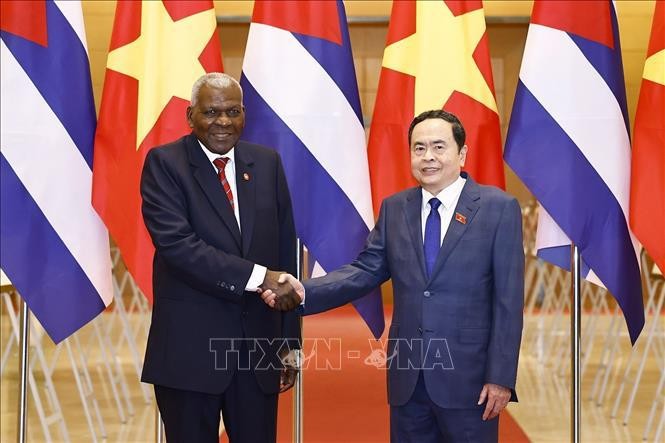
x,y
204,173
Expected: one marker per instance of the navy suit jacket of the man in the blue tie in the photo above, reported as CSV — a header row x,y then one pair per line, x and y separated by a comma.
x,y
462,327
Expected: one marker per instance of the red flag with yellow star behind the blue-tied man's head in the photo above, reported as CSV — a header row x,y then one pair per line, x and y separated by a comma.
x,y
436,57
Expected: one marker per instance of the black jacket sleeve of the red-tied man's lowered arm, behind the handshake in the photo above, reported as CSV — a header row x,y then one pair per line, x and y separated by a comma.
x,y
287,244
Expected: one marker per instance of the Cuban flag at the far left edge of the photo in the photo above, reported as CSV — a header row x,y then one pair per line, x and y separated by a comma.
x,y
55,249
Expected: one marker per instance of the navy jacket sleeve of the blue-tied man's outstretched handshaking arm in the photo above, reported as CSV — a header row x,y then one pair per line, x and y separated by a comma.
x,y
354,280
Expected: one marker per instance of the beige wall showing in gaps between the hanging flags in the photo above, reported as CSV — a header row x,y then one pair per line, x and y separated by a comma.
x,y
368,40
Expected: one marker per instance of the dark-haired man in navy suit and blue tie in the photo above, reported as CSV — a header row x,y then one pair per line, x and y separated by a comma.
x,y
453,249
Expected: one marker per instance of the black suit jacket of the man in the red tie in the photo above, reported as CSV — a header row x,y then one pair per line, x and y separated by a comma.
x,y
203,261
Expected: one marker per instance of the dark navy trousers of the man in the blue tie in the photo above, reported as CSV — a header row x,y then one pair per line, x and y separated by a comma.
x,y
420,420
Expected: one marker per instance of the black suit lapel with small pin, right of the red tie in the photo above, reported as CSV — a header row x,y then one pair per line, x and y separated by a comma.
x,y
246,185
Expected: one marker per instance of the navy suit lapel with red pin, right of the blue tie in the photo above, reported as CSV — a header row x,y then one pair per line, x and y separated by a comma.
x,y
467,206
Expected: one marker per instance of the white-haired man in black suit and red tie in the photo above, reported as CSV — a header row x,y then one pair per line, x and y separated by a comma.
x,y
219,214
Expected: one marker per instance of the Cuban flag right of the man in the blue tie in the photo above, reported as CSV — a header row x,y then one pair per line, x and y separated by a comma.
x,y
568,141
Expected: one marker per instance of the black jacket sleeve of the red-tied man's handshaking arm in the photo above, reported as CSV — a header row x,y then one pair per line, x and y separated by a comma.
x,y
166,217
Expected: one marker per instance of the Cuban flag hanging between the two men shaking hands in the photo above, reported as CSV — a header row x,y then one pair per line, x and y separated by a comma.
x,y
301,96
